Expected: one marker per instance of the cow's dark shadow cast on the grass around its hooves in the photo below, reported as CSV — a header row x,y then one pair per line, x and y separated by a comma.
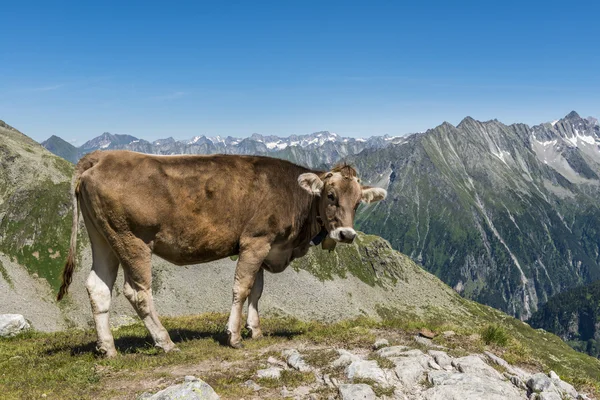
x,y
131,344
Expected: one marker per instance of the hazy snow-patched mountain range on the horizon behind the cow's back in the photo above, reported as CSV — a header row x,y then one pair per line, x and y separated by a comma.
x,y
314,150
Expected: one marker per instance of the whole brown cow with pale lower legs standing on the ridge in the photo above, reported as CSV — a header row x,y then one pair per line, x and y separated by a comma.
x,y
190,209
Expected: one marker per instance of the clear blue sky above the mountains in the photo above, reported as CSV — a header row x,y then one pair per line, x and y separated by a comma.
x,y
158,69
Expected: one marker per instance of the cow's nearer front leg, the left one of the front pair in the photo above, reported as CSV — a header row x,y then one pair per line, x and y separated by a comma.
x,y
248,266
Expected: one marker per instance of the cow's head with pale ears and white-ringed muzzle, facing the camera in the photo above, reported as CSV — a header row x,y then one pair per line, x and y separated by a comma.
x,y
340,193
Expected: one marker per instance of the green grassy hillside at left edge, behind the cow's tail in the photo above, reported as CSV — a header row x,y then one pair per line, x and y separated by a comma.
x,y
34,198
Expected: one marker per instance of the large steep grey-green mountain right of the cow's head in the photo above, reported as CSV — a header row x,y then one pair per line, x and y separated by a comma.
x,y
507,215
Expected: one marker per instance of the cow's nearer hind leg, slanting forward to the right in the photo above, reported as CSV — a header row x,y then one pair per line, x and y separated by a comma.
x,y
137,269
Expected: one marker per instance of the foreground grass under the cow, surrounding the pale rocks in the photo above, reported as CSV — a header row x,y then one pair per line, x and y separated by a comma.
x,y
63,364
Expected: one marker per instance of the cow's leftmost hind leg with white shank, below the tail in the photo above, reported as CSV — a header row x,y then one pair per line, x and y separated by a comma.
x,y
99,286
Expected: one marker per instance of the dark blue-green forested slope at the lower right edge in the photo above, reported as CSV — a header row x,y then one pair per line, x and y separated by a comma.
x,y
574,315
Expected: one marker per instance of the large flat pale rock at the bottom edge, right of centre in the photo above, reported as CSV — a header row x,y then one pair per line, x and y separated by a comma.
x,y
466,386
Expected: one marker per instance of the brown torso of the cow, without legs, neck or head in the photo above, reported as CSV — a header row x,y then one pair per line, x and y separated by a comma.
x,y
190,208
